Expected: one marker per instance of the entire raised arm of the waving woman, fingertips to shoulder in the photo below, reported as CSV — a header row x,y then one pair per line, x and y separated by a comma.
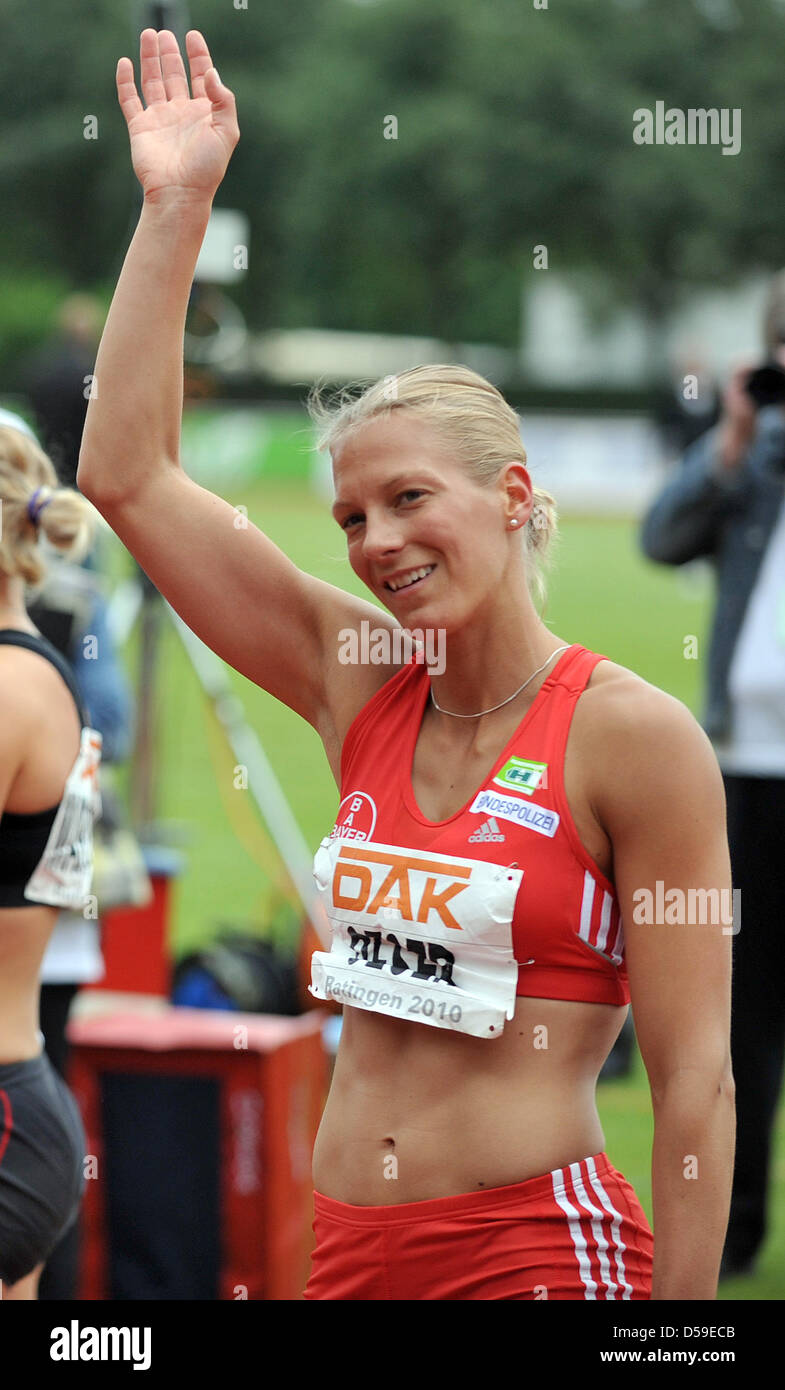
x,y
230,583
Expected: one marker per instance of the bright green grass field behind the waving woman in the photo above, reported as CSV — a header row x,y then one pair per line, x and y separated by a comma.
x,y
602,594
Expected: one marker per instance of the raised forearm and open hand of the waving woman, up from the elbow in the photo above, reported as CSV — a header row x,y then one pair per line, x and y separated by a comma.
x,y
180,148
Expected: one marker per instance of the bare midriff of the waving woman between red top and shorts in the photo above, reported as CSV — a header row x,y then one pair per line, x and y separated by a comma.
x,y
462,1114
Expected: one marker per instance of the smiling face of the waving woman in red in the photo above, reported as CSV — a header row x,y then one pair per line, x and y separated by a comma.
x,y
423,536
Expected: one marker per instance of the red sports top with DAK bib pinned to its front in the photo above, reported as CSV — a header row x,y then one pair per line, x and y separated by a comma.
x,y
447,922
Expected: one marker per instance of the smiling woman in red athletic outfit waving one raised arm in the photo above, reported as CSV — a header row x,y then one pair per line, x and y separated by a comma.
x,y
498,819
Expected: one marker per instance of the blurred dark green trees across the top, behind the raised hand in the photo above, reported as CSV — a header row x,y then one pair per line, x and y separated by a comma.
x,y
515,129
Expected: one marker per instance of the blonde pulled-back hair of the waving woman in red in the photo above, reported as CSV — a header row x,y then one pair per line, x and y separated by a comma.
x,y
469,414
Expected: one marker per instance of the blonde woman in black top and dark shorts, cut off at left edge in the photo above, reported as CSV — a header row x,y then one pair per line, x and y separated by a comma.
x,y
49,762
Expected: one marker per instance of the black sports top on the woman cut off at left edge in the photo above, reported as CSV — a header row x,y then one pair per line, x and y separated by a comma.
x,y
24,837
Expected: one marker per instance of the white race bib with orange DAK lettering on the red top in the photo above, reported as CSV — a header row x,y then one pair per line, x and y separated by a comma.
x,y
418,936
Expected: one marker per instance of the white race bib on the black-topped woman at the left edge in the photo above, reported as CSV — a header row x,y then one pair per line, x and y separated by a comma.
x,y
65,872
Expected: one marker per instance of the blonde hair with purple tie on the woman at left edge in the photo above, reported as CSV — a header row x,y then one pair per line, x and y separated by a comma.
x,y
67,521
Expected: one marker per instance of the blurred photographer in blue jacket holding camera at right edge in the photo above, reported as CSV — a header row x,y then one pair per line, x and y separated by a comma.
x,y
727,504
